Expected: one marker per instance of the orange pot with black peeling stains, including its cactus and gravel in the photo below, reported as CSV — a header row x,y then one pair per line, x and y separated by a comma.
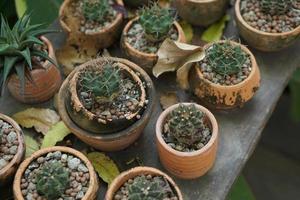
x,y
227,77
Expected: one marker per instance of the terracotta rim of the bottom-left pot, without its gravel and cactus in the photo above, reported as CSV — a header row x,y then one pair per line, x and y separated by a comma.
x,y
90,194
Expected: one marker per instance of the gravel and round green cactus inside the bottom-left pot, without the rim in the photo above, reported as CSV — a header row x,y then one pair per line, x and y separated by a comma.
x,y
56,175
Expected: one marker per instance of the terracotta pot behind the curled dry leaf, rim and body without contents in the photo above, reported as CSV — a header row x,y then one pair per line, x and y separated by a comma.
x,y
145,60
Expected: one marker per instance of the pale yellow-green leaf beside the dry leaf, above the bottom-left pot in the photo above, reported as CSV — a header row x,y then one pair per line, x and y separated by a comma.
x,y
56,134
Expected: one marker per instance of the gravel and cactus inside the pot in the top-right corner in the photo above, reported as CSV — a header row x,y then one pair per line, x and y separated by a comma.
x,y
271,16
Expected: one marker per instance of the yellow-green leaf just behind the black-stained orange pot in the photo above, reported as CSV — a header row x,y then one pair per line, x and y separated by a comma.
x,y
215,31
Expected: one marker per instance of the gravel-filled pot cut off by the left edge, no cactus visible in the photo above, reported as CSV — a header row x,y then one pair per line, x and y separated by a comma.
x,y
12,148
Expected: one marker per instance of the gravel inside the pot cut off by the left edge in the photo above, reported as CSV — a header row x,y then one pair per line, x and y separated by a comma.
x,y
9,143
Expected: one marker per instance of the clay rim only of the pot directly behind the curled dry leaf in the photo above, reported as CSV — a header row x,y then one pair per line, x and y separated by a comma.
x,y
181,37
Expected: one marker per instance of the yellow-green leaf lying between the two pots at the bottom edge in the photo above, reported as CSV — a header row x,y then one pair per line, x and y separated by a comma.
x,y
104,166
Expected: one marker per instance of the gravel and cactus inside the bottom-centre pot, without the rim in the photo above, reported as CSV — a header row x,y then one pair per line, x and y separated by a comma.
x,y
146,186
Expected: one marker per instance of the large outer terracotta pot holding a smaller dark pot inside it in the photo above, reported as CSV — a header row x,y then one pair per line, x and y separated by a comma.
x,y
117,140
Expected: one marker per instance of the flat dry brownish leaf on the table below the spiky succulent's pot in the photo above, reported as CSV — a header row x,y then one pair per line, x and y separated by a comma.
x,y
39,118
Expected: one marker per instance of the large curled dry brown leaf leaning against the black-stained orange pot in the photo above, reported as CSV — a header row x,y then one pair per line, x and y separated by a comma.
x,y
178,56
